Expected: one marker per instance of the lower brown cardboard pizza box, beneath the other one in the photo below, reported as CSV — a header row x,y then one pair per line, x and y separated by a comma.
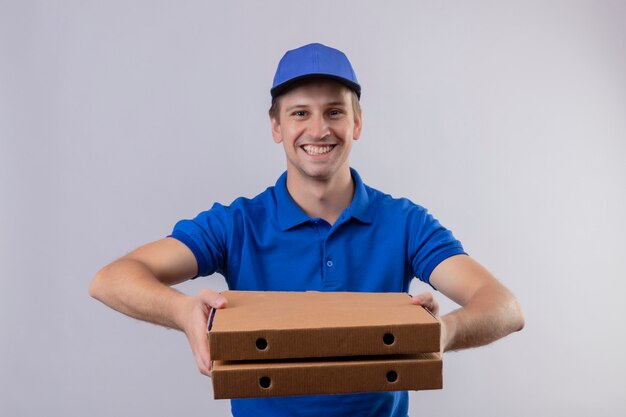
x,y
326,376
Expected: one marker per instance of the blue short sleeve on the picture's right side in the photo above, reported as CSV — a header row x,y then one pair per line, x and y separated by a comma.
x,y
429,243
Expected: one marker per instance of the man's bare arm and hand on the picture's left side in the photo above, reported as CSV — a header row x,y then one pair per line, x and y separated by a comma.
x,y
138,285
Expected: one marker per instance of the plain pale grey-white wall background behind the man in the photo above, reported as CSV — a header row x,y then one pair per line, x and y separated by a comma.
x,y
118,118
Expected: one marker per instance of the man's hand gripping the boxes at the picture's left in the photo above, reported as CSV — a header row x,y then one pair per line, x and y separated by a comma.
x,y
194,323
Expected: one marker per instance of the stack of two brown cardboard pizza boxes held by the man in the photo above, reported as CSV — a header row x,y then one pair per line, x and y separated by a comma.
x,y
267,344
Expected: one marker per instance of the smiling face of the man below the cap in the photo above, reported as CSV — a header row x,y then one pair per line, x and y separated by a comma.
x,y
316,126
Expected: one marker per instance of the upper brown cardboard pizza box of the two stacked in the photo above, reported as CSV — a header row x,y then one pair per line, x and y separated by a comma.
x,y
278,325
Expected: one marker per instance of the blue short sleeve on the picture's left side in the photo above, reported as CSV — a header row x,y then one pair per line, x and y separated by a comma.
x,y
206,236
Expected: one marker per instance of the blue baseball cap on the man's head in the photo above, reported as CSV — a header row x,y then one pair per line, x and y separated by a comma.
x,y
312,61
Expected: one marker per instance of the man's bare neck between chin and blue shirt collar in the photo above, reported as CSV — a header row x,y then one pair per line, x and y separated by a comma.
x,y
324,199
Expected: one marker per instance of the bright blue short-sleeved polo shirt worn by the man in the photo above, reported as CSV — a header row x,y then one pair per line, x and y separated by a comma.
x,y
378,244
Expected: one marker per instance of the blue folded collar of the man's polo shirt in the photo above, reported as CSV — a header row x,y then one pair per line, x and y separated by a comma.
x,y
291,215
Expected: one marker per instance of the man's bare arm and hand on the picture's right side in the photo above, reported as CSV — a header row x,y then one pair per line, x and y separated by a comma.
x,y
488,309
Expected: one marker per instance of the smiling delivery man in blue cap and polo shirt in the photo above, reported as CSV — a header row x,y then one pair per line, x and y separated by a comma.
x,y
319,228
